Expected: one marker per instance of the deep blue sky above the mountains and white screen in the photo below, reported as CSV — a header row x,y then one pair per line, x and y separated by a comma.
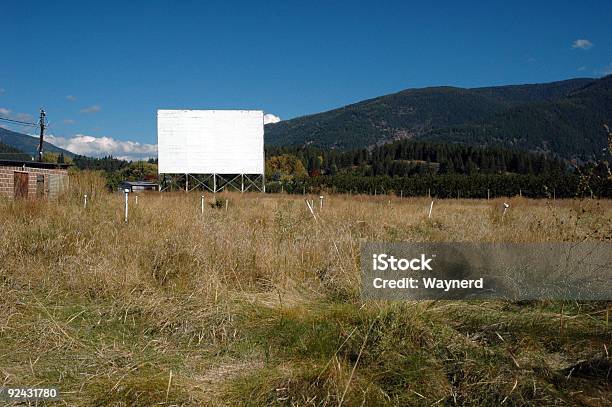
x,y
101,69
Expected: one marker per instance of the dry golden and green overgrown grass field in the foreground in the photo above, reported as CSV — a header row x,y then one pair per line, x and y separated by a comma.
x,y
259,304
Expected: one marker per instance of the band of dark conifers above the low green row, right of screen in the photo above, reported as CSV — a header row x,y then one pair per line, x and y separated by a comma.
x,y
407,158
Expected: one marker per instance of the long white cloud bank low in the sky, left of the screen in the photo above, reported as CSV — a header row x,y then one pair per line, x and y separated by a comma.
x,y
102,146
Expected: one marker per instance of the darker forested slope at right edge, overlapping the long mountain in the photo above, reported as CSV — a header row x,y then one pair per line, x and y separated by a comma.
x,y
571,126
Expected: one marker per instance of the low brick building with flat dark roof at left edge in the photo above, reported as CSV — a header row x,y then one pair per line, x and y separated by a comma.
x,y
31,179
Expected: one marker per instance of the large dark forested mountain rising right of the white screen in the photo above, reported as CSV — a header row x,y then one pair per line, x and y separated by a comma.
x,y
563,117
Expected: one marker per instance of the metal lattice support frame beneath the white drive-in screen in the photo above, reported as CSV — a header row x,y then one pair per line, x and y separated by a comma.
x,y
212,182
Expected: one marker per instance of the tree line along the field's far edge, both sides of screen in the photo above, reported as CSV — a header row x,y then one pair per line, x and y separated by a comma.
x,y
404,168
